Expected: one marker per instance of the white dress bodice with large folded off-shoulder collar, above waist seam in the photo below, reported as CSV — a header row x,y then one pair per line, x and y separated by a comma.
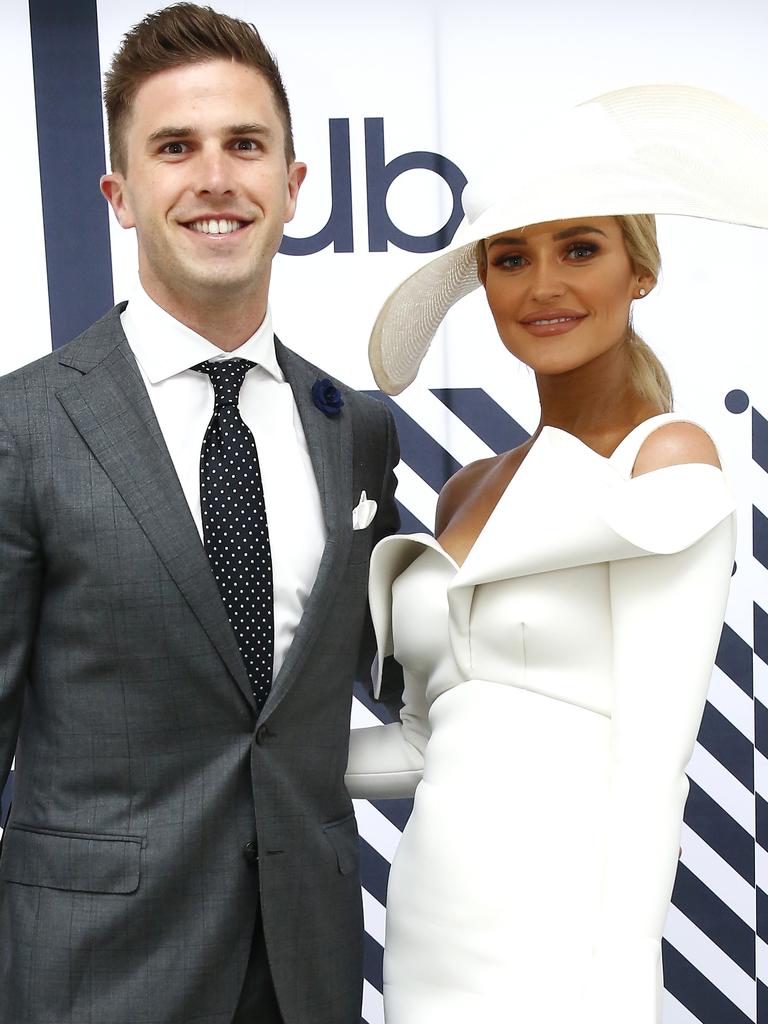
x,y
534,592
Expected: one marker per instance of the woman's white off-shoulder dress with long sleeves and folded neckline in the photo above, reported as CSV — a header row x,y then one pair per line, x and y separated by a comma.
x,y
554,687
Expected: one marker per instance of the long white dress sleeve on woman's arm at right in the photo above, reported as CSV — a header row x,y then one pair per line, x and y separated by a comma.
x,y
667,615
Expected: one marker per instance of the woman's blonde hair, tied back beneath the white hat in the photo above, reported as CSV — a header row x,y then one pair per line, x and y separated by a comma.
x,y
650,376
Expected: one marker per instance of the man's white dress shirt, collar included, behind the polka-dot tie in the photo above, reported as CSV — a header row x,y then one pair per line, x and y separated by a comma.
x,y
183,400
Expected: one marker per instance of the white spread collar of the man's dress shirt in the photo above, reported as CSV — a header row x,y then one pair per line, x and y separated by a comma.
x,y
163,347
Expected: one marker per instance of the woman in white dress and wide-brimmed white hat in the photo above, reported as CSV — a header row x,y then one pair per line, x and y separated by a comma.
x,y
559,636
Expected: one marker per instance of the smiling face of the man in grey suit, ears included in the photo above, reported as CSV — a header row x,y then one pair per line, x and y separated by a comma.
x,y
206,186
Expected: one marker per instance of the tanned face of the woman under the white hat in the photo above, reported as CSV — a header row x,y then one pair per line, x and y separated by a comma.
x,y
561,292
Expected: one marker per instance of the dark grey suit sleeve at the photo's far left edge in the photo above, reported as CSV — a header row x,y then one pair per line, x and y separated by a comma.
x,y
21,574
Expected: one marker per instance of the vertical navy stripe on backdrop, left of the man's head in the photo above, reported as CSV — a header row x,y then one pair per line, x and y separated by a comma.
x,y
65,54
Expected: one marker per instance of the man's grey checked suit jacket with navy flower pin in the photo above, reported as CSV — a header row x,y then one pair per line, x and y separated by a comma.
x,y
126,891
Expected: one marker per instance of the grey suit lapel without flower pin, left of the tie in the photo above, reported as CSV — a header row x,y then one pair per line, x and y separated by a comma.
x,y
112,412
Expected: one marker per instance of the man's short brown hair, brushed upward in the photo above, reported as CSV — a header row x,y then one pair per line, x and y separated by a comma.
x,y
174,37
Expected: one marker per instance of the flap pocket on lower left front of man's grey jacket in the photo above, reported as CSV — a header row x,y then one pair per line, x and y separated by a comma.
x,y
76,862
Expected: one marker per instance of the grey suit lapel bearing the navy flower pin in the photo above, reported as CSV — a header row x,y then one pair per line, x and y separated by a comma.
x,y
330,443
